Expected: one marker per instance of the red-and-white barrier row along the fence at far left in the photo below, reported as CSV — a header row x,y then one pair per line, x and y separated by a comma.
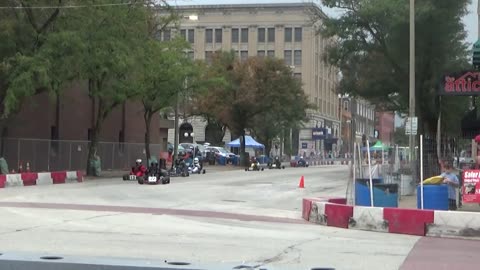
x,y
44,178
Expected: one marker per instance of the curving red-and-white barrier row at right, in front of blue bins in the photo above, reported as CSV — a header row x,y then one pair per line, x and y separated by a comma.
x,y
335,213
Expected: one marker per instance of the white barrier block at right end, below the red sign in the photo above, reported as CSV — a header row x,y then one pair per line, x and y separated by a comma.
x,y
455,223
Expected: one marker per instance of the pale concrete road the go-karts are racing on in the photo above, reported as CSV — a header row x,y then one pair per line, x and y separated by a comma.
x,y
237,217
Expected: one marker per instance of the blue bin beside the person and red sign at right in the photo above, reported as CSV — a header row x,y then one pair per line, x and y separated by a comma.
x,y
435,197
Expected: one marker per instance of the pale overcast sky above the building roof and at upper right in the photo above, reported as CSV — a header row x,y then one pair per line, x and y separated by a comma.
x,y
470,20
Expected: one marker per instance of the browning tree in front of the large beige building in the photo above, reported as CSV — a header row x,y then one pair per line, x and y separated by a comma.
x,y
251,89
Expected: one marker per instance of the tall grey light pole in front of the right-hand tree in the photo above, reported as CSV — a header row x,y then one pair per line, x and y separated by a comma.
x,y
412,75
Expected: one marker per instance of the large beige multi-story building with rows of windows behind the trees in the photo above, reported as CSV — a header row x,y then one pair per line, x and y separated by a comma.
x,y
283,31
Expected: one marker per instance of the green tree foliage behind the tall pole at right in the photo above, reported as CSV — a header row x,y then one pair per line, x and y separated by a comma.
x,y
371,49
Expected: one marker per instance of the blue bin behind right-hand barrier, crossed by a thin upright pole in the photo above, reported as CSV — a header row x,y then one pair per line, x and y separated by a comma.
x,y
384,195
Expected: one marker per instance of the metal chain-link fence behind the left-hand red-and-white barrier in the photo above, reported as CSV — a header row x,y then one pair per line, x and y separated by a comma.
x,y
49,155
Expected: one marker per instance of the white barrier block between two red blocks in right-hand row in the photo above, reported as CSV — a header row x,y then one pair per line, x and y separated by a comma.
x,y
368,219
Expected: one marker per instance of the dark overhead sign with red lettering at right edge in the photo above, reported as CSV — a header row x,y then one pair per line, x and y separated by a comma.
x,y
465,83
